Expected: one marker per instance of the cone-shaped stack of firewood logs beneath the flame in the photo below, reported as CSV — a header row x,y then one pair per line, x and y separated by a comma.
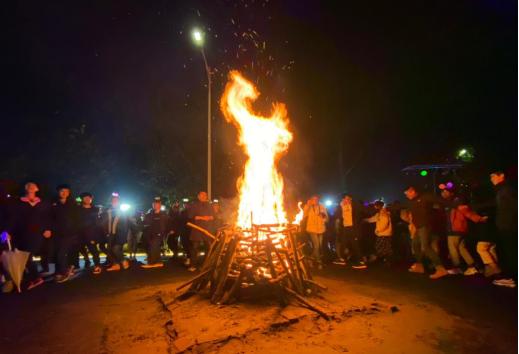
x,y
264,258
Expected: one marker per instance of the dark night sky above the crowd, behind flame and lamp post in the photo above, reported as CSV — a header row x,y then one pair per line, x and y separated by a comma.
x,y
111,95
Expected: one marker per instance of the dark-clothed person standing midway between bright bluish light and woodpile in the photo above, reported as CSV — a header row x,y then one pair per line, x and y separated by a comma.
x,y
156,225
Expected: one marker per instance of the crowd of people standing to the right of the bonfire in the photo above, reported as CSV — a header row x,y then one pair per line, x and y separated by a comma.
x,y
444,232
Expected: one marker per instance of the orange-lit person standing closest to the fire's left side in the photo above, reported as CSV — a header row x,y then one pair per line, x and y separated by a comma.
x,y
201,214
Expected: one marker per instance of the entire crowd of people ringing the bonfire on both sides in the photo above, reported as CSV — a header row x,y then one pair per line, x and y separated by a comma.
x,y
444,233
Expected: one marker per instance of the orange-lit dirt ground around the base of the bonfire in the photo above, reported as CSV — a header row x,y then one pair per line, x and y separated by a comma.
x,y
147,319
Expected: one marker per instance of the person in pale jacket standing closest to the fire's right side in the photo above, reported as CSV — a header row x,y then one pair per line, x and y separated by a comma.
x,y
316,218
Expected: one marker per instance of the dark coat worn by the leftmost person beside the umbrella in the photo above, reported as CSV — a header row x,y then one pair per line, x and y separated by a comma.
x,y
26,224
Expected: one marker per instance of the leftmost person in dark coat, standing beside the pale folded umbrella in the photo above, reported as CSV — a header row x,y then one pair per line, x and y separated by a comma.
x,y
28,224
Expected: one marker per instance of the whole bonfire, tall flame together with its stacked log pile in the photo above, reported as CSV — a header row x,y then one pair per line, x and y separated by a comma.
x,y
261,253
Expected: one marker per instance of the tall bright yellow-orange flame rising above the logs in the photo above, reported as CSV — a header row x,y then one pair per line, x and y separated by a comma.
x,y
264,140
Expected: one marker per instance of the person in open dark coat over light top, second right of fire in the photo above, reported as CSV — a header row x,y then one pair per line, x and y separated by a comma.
x,y
348,222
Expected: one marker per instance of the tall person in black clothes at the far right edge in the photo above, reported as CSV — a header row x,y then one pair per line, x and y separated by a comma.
x,y
506,224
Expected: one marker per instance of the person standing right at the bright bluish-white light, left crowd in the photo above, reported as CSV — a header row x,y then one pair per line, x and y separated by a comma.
x,y
115,225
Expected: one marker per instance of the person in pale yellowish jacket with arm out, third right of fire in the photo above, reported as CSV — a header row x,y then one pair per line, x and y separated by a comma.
x,y
383,231
